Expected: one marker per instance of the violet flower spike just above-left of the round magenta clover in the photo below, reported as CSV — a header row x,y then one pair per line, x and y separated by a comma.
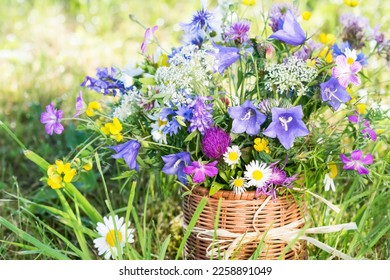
x,y
202,117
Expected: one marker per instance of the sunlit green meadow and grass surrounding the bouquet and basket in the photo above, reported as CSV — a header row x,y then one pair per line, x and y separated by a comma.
x,y
47,47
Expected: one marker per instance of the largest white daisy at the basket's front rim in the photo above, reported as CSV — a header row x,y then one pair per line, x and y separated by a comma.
x,y
257,173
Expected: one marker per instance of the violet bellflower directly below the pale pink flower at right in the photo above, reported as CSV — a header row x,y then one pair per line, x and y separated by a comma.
x,y
333,93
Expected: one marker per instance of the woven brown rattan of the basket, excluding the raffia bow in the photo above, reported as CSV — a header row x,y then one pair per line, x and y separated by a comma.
x,y
237,216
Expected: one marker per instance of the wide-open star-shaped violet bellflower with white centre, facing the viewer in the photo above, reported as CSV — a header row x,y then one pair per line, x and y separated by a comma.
x,y
286,125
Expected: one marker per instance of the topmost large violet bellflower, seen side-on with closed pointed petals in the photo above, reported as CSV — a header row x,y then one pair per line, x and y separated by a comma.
x,y
289,31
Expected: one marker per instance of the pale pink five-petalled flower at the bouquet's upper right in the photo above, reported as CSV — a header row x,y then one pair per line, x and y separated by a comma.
x,y
345,72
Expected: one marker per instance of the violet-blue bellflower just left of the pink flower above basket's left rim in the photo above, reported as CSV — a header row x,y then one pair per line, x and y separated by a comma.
x,y
175,163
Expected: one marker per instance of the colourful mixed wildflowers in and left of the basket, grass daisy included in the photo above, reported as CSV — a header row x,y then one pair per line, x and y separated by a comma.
x,y
240,105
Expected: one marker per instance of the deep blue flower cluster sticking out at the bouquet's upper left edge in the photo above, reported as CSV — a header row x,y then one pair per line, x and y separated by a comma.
x,y
105,83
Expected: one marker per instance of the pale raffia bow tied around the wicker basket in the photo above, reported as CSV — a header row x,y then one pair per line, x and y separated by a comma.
x,y
226,242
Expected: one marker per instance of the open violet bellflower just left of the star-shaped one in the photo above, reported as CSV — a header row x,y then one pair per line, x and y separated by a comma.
x,y
246,118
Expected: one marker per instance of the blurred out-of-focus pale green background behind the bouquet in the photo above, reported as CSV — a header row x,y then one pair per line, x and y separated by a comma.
x,y
47,47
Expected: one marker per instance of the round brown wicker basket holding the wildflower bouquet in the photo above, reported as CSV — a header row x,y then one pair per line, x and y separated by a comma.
x,y
240,216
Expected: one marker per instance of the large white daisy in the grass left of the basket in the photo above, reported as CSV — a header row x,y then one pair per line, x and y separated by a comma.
x,y
110,232
